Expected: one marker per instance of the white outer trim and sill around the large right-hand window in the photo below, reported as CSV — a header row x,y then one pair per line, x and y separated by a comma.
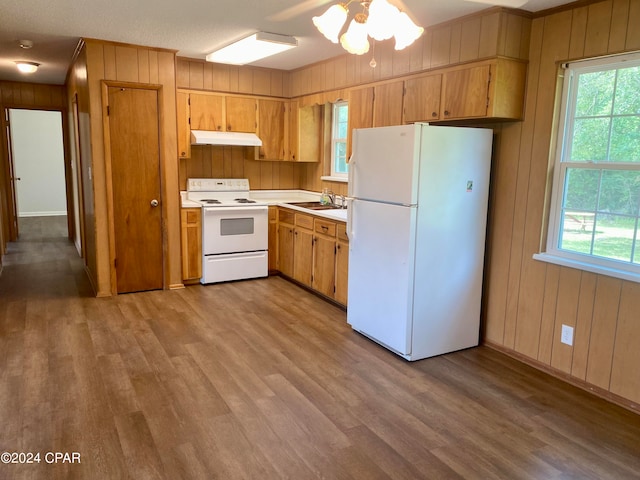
x,y
553,254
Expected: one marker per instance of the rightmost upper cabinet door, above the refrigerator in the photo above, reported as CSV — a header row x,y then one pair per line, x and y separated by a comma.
x,y
465,92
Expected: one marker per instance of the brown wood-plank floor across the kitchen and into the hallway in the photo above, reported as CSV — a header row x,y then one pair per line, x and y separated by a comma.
x,y
262,380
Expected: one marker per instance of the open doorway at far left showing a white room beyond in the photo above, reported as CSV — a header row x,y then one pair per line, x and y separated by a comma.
x,y
36,165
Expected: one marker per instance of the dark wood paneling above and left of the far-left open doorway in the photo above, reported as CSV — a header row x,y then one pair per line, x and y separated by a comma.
x,y
21,95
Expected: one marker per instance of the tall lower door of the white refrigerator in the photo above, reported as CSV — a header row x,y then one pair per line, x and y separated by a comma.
x,y
381,268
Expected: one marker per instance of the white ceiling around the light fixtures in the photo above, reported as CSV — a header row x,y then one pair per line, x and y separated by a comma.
x,y
192,27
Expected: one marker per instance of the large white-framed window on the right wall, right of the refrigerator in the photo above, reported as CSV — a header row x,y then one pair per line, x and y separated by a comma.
x,y
594,218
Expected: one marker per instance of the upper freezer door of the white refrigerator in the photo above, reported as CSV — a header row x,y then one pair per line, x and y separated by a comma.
x,y
384,165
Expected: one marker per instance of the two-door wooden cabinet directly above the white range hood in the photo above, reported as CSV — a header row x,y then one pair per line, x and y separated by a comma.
x,y
223,113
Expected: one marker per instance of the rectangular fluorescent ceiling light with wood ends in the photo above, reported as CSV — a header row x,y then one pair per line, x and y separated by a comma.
x,y
255,47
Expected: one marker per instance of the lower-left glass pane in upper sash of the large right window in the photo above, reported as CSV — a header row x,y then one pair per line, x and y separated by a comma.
x,y
590,139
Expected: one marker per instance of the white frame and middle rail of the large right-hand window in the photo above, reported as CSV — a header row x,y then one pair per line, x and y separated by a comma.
x,y
554,254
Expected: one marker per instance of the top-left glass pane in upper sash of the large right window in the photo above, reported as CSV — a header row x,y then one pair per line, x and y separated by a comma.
x,y
595,93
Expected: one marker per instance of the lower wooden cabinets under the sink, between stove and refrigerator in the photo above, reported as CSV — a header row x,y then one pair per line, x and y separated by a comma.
x,y
314,251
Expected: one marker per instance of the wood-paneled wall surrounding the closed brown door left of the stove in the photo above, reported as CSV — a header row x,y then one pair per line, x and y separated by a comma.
x,y
126,63
